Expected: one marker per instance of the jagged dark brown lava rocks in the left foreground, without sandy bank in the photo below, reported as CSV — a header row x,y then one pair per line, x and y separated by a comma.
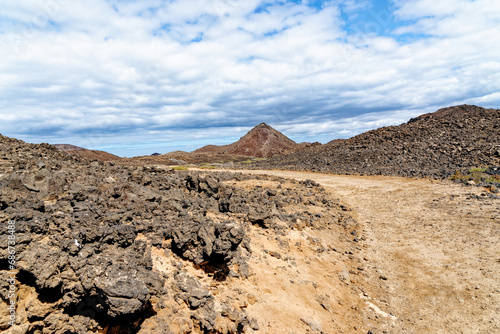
x,y
86,232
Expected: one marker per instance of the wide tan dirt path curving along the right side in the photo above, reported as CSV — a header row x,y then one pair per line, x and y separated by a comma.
x,y
430,252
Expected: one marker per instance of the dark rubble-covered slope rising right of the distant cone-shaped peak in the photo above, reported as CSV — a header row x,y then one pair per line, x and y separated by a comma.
x,y
432,145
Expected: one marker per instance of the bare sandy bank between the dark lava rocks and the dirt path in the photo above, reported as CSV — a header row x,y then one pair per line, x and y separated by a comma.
x,y
296,283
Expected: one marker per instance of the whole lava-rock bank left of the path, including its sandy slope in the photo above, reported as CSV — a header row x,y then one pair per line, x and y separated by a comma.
x,y
109,248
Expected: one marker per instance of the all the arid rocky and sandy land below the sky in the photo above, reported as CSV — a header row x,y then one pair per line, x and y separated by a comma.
x,y
113,245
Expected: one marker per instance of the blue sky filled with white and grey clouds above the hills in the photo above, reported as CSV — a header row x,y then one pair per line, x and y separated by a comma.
x,y
138,77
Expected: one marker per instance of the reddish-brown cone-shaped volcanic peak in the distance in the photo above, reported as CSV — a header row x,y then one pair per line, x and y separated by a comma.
x,y
262,141
